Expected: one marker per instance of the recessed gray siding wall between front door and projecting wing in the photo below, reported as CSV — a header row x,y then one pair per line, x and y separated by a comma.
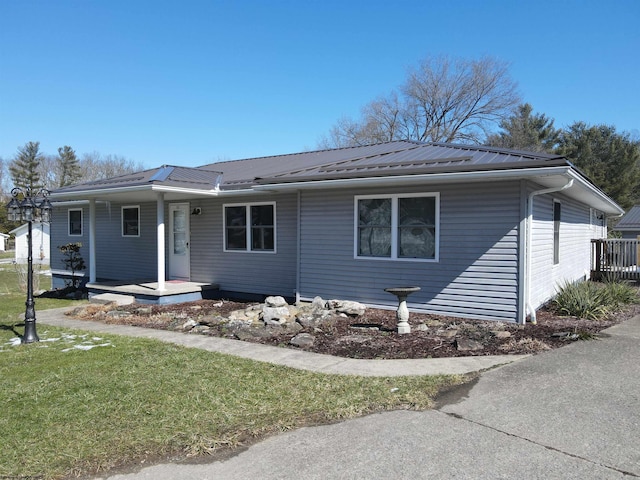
x,y
262,273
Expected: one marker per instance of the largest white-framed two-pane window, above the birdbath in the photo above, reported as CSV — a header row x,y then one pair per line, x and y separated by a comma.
x,y
397,227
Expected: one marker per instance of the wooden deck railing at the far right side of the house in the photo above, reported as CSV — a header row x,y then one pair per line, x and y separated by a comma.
x,y
615,258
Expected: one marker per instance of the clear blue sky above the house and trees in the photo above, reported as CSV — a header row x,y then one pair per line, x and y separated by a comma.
x,y
192,82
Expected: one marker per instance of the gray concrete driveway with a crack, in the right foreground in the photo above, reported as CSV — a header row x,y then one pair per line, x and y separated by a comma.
x,y
570,413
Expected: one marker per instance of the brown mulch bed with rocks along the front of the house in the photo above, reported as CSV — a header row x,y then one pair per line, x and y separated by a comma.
x,y
373,335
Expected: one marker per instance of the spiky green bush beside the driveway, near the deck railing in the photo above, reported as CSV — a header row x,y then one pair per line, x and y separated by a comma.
x,y
592,300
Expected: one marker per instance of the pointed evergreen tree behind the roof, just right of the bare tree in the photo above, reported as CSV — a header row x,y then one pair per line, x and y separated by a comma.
x,y
525,130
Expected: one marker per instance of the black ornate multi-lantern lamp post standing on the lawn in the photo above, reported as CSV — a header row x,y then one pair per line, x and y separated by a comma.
x,y
28,205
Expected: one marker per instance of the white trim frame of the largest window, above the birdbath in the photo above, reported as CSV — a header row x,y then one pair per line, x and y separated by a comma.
x,y
394,227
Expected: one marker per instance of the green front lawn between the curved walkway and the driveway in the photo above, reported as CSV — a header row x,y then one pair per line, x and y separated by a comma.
x,y
70,411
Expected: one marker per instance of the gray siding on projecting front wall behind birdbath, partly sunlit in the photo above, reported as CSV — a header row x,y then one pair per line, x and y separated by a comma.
x,y
475,277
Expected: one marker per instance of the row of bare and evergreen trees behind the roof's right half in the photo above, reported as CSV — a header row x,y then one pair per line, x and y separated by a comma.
x,y
445,99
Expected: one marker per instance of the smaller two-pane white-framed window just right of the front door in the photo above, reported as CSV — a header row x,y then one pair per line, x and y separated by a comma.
x,y
250,227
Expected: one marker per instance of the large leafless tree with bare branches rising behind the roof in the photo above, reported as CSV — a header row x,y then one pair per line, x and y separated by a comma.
x,y
442,100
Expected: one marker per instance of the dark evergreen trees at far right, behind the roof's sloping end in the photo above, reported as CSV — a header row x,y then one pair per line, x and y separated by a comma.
x,y
610,159
